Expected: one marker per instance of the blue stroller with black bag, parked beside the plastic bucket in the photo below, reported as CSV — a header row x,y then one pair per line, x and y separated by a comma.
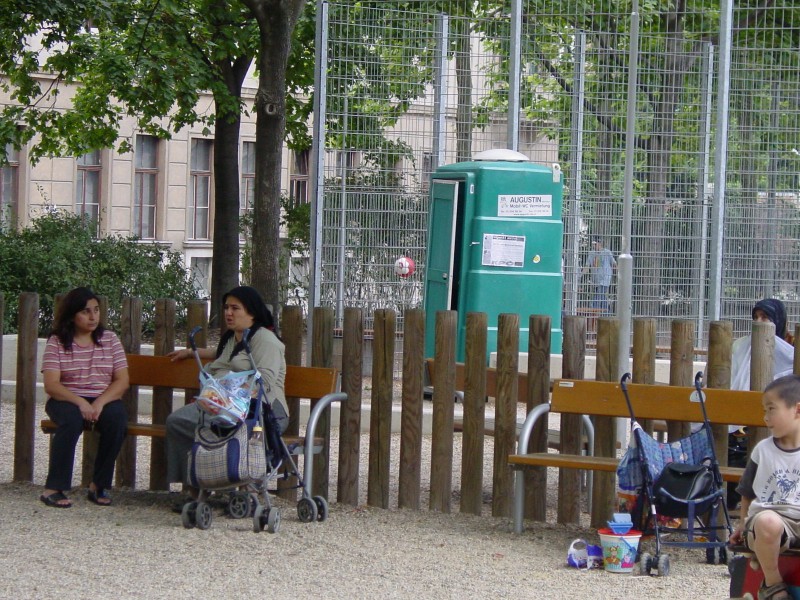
x,y
679,479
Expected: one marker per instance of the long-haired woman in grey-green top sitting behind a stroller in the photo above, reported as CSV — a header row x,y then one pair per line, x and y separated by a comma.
x,y
244,309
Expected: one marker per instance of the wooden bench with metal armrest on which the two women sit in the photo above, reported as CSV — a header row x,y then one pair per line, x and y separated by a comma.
x,y
314,383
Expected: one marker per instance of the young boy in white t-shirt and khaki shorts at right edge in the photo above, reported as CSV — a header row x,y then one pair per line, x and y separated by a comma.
x,y
770,486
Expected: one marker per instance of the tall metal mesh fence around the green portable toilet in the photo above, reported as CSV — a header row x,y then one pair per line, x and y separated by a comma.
x,y
408,90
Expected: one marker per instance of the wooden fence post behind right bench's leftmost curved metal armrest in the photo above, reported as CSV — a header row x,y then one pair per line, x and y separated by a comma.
x,y
538,393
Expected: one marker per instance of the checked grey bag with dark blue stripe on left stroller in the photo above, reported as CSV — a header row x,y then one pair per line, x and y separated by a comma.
x,y
219,460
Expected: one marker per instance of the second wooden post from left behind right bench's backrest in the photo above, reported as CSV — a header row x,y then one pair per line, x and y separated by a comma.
x,y
604,490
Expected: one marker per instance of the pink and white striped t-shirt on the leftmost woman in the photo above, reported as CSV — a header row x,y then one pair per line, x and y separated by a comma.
x,y
85,370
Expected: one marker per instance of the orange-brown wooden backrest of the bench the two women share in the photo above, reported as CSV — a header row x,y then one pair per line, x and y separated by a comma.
x,y
301,382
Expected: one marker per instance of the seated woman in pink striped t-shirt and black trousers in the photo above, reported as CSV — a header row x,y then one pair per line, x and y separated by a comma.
x,y
85,374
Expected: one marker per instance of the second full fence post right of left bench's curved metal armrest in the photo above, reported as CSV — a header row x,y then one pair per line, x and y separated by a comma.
x,y
380,421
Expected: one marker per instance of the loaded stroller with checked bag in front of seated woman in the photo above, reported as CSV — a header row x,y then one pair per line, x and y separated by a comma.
x,y
237,447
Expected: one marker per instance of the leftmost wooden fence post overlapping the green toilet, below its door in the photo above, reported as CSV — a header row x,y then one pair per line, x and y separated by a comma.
x,y
444,377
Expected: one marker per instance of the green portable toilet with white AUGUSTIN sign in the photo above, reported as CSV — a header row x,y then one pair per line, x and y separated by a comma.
x,y
494,244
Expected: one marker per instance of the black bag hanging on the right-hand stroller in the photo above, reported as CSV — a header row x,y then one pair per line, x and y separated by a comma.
x,y
680,485
